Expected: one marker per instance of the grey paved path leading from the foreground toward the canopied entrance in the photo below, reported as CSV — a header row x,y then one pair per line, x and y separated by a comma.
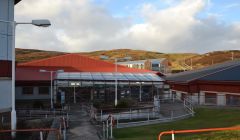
x,y
80,126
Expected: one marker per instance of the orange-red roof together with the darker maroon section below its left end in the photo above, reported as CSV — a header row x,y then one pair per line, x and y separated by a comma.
x,y
69,63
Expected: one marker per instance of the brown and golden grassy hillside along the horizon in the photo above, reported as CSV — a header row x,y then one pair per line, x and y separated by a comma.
x,y
177,60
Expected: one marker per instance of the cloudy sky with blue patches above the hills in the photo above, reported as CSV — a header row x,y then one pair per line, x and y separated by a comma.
x,y
168,26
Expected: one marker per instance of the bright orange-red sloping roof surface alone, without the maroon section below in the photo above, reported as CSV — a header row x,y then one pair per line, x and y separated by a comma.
x,y
77,63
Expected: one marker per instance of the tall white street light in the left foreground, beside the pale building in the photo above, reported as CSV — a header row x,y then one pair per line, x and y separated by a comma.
x,y
40,23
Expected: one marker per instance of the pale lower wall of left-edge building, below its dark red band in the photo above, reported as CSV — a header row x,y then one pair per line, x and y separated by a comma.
x,y
5,95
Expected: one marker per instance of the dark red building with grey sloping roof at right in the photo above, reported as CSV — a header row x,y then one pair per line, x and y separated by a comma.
x,y
214,85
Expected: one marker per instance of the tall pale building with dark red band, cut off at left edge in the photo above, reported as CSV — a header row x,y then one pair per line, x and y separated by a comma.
x,y
6,36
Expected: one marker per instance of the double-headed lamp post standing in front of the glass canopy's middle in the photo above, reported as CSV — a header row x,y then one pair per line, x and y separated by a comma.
x,y
116,60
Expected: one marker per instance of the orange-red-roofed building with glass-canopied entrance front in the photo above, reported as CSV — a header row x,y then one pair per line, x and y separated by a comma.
x,y
91,79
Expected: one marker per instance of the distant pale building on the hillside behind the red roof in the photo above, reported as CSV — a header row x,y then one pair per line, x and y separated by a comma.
x,y
159,65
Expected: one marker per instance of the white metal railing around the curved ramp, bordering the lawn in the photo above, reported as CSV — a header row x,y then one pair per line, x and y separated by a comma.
x,y
128,117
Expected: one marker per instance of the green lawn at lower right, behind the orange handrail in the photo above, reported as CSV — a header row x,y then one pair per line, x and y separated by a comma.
x,y
204,118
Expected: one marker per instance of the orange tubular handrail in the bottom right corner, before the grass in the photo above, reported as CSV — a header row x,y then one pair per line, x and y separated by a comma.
x,y
195,131
